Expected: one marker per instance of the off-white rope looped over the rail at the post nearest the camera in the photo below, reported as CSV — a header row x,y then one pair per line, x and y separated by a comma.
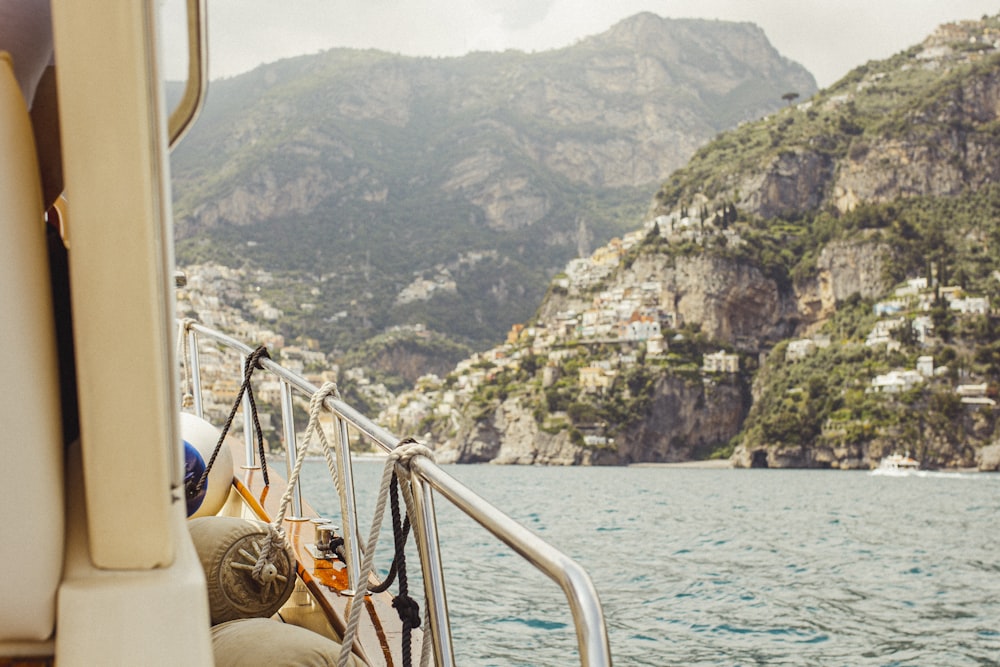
x,y
402,455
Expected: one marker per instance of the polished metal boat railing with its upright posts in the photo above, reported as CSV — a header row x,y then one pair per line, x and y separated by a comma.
x,y
426,477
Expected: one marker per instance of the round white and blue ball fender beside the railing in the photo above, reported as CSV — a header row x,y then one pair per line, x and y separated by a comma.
x,y
200,439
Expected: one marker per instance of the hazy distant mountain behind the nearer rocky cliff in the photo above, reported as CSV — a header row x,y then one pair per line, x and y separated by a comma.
x,y
388,190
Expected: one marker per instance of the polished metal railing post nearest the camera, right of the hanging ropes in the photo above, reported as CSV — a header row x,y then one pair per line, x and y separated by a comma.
x,y
425,527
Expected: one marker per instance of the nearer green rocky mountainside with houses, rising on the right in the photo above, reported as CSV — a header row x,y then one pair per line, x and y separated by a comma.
x,y
814,289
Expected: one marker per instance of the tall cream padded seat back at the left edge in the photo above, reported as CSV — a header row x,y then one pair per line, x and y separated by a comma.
x,y
31,446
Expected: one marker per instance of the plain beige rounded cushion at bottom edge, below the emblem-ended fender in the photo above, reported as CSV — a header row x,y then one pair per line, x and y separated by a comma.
x,y
262,642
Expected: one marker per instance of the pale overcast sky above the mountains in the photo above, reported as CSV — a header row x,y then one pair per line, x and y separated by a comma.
x,y
828,37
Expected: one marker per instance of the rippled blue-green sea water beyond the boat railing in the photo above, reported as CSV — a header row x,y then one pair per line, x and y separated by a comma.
x,y
723,567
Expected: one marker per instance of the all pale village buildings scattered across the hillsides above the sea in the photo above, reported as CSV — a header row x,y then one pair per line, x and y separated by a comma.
x,y
627,317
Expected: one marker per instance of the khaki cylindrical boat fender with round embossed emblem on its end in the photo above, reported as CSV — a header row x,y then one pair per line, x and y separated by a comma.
x,y
228,548
